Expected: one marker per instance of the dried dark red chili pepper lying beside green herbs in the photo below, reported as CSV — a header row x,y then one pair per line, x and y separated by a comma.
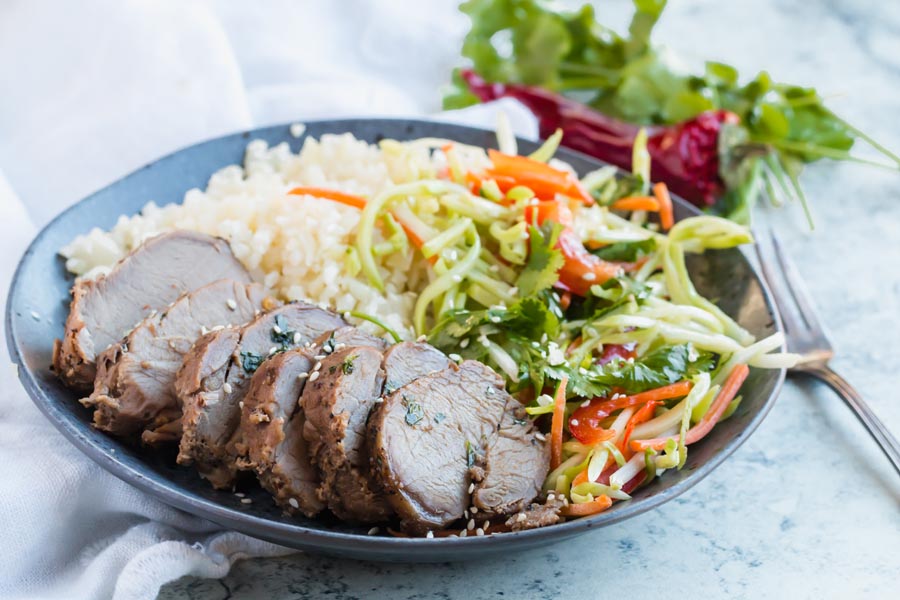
x,y
685,155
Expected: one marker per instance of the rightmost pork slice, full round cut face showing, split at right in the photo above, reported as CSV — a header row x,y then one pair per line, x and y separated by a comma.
x,y
438,437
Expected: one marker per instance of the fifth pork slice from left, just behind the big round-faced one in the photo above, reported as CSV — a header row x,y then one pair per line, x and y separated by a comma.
x,y
336,401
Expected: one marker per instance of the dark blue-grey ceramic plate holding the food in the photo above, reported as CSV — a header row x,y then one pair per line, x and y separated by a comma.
x,y
38,304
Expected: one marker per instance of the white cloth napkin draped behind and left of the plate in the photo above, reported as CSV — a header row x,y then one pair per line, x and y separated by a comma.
x,y
106,87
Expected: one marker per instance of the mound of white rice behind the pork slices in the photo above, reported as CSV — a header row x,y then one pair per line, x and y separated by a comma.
x,y
296,245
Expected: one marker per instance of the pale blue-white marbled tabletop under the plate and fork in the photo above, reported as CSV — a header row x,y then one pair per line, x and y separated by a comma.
x,y
808,508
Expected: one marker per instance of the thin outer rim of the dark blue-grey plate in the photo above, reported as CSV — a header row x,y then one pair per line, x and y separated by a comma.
x,y
323,540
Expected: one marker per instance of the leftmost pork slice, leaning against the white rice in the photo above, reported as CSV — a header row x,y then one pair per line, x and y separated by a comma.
x,y
149,278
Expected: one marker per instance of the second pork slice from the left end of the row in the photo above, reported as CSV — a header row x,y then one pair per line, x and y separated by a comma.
x,y
134,387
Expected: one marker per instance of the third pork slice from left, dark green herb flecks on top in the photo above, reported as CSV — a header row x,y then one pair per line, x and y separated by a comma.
x,y
211,389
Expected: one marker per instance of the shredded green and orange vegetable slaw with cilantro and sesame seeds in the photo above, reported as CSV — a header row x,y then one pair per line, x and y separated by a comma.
x,y
576,290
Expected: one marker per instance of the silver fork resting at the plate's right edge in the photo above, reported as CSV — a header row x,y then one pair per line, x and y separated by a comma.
x,y
806,336
